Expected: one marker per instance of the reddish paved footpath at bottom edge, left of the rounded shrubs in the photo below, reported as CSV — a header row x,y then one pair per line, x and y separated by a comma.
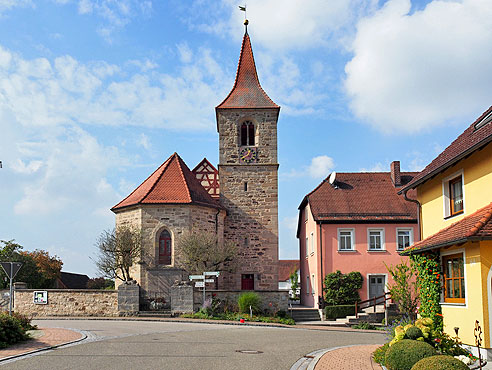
x,y
349,358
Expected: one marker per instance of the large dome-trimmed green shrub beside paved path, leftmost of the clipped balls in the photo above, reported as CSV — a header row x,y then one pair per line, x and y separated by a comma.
x,y
405,353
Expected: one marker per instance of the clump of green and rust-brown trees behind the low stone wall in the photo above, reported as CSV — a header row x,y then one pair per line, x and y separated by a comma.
x,y
39,270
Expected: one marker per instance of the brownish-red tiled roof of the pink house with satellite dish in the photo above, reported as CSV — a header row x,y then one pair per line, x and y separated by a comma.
x,y
361,196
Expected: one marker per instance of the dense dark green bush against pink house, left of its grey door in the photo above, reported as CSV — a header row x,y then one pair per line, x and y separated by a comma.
x,y
342,288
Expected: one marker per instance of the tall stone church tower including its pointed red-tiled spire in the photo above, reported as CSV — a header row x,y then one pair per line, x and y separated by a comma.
x,y
248,173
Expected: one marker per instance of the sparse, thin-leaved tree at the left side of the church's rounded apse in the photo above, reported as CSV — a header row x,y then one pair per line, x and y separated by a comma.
x,y
118,250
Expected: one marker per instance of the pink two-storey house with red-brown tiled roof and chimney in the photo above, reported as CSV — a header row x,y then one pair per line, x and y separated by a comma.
x,y
355,222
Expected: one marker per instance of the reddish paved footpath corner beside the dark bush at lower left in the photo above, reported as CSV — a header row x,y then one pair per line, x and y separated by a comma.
x,y
44,338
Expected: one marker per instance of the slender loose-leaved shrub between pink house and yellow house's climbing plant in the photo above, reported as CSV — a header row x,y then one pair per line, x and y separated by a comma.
x,y
404,290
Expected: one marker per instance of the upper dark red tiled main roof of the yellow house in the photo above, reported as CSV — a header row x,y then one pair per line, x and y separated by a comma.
x,y
470,140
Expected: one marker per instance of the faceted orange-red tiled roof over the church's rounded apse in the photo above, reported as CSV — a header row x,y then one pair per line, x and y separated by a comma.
x,y
171,183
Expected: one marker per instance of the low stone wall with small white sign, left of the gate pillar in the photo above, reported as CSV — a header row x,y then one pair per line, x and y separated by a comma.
x,y
68,302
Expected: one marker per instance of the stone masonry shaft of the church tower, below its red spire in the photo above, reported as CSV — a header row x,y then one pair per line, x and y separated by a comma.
x,y
252,211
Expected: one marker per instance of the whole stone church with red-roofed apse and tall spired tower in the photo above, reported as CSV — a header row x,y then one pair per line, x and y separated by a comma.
x,y
237,200
